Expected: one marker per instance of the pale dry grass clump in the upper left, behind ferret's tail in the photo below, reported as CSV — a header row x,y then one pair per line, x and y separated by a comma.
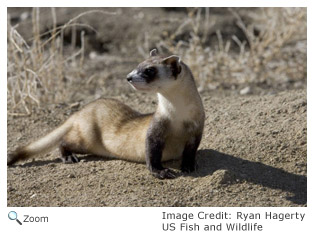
x,y
39,72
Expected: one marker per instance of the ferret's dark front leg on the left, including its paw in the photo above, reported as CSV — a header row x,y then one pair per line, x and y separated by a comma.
x,y
155,143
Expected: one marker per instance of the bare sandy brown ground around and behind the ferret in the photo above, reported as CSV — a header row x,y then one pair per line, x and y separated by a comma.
x,y
253,150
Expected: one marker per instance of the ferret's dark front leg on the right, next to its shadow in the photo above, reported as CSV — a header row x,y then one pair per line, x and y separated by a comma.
x,y
189,155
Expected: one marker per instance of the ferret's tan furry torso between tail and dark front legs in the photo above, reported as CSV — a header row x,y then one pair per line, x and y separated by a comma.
x,y
107,127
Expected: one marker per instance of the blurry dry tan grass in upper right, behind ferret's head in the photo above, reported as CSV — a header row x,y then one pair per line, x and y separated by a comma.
x,y
276,54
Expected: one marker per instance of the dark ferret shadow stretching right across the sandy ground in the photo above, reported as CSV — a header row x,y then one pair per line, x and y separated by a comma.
x,y
208,161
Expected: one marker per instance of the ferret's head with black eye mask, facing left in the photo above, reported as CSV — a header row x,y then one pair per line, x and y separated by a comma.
x,y
156,73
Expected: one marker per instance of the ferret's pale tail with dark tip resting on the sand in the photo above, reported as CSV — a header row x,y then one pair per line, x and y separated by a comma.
x,y
41,145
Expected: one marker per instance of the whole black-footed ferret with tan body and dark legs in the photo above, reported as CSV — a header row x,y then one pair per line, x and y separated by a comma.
x,y
108,128
